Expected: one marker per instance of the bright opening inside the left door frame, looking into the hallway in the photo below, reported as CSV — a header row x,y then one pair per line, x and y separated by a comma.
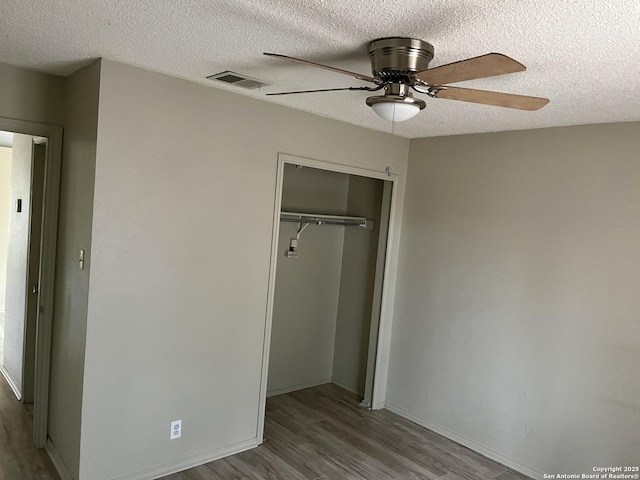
x,y
23,163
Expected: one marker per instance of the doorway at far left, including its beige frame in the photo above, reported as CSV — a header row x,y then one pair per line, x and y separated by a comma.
x,y
30,202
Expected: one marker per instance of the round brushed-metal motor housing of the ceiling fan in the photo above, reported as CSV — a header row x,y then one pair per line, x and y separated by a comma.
x,y
396,57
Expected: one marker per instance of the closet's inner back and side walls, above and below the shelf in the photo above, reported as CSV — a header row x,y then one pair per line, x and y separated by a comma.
x,y
323,298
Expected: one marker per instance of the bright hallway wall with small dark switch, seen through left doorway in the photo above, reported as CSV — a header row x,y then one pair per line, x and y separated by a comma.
x,y
18,248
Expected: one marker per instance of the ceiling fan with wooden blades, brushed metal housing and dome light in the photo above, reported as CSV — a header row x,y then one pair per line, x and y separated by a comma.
x,y
400,65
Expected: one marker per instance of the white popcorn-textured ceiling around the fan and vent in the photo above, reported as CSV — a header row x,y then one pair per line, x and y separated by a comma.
x,y
582,54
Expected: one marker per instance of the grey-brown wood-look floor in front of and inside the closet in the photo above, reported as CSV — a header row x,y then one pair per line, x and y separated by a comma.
x,y
321,433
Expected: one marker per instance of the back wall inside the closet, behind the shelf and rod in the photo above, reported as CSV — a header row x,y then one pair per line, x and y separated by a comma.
x,y
307,287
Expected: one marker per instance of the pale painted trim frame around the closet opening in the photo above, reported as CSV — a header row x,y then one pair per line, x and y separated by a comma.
x,y
388,282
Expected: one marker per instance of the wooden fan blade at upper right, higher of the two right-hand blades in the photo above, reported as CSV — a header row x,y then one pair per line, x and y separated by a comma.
x,y
488,65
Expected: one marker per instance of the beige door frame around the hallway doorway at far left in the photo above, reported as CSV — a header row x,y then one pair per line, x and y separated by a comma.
x,y
47,266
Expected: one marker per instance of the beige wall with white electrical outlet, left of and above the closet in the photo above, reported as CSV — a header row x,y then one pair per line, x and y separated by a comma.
x,y
181,240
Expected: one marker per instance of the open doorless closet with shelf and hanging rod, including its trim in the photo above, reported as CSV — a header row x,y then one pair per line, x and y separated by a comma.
x,y
330,249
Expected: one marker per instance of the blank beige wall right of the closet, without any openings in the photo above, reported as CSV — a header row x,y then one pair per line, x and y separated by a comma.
x,y
516,323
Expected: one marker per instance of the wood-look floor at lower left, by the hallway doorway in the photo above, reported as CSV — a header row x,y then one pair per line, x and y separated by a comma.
x,y
19,460
